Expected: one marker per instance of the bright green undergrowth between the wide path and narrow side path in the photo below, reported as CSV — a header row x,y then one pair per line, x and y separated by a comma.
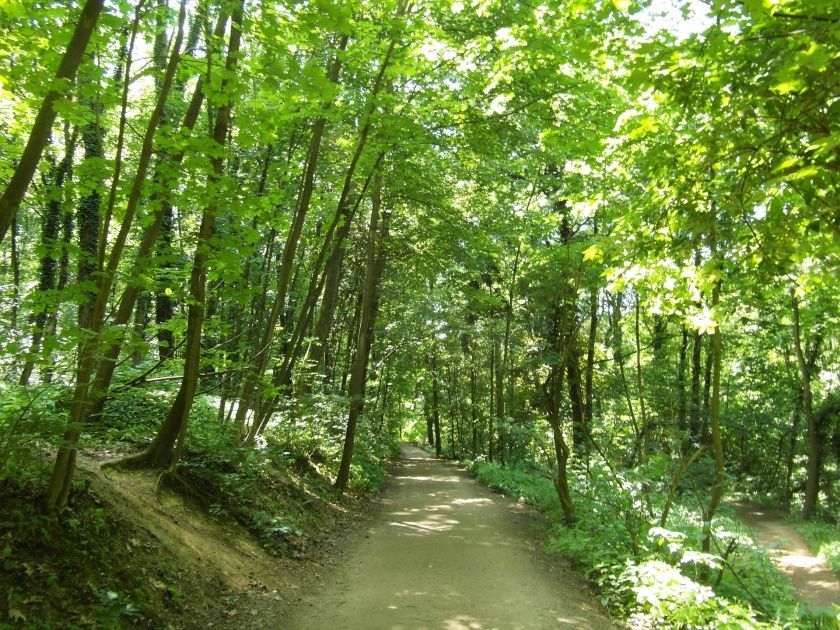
x,y
653,576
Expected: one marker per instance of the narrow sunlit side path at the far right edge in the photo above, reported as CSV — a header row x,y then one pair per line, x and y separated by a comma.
x,y
814,584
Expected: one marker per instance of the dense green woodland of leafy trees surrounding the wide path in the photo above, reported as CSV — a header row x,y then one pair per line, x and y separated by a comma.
x,y
591,249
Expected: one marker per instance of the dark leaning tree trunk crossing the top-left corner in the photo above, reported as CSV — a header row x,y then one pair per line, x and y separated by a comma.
x,y
40,133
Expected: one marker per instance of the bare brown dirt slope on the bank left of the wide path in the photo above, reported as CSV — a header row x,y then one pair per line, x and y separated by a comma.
x,y
226,579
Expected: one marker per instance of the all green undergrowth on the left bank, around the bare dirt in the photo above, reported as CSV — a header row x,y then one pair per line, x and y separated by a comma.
x,y
87,567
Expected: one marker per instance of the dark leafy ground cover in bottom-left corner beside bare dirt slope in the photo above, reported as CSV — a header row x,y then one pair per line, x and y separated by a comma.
x,y
74,570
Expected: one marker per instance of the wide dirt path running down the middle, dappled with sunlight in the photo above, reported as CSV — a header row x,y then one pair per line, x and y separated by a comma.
x,y
446,553
